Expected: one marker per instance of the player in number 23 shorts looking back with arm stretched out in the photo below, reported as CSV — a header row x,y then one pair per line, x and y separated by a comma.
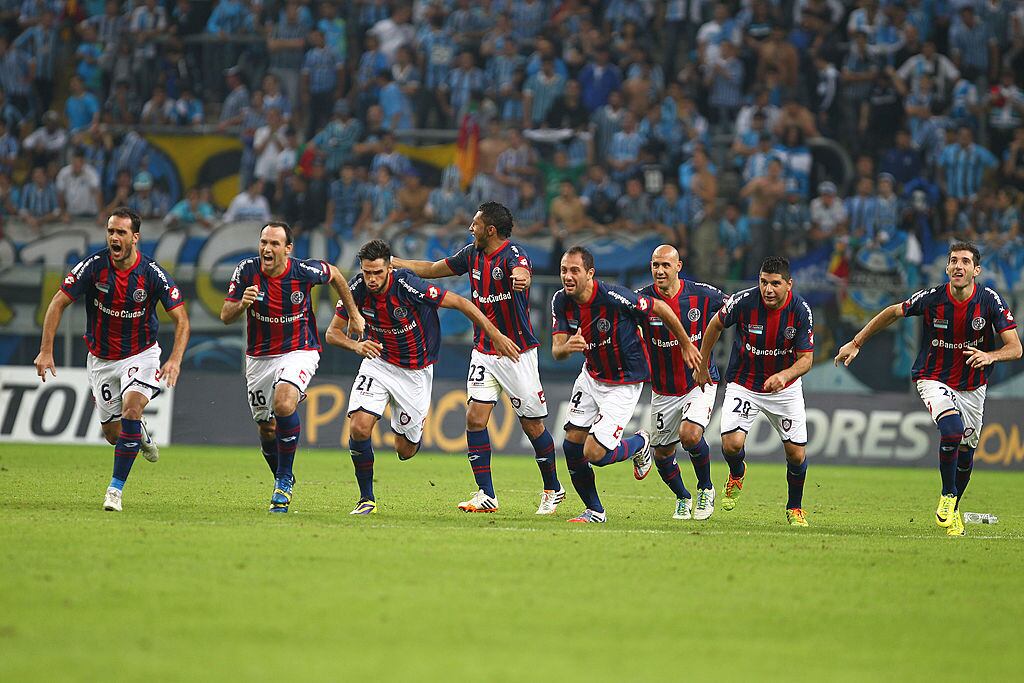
x,y
500,275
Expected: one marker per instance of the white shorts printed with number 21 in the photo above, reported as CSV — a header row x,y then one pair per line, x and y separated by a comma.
x,y
380,385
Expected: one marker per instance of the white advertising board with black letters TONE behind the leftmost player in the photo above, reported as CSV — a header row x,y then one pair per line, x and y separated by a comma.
x,y
62,410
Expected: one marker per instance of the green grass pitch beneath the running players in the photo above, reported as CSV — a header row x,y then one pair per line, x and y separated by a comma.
x,y
196,581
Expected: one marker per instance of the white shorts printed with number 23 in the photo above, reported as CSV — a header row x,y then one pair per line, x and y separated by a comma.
x,y
490,375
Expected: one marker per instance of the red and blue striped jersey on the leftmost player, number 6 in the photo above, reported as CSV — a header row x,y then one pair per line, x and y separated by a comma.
x,y
121,310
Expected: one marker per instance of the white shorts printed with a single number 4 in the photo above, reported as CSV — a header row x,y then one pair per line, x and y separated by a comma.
x,y
605,409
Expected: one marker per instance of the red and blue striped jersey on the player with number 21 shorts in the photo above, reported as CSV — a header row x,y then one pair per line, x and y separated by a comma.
x,y
403,318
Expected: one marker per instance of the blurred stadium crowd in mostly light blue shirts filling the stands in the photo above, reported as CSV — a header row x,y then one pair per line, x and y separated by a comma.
x,y
691,119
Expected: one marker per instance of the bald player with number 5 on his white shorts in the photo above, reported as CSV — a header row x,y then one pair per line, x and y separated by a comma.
x,y
680,409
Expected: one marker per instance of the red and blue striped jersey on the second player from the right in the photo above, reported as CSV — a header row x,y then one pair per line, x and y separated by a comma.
x,y
767,341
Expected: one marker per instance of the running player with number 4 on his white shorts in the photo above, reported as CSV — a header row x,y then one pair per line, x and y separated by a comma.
x,y
601,321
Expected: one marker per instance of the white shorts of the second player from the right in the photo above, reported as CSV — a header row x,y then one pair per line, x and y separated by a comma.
x,y
785,411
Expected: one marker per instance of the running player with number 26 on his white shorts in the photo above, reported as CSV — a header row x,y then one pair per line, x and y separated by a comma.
x,y
273,290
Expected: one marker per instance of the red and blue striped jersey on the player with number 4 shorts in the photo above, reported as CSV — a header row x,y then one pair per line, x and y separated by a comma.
x,y
616,354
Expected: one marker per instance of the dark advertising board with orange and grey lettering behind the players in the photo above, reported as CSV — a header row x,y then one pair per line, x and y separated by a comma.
x,y
881,430
